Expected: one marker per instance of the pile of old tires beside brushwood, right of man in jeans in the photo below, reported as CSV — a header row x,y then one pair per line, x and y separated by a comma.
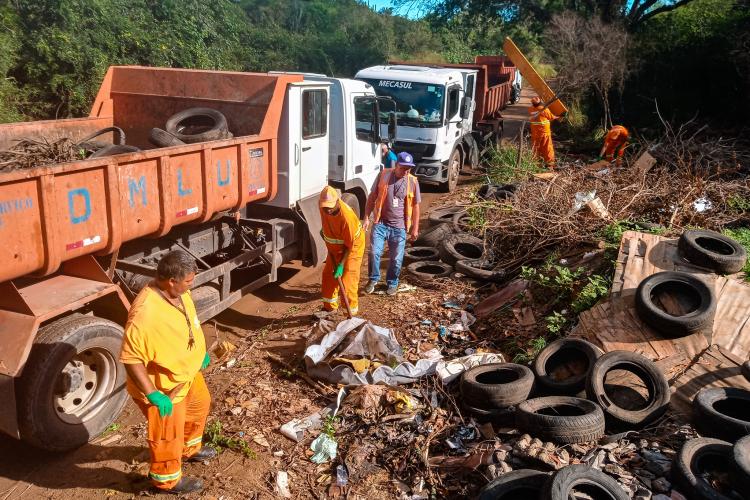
x,y
446,249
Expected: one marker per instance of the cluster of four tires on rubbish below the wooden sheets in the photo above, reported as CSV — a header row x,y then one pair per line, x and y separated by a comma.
x,y
566,408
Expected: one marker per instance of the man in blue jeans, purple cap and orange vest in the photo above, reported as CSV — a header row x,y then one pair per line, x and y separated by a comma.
x,y
394,206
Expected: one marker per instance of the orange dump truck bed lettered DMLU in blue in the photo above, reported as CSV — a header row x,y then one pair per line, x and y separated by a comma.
x,y
54,213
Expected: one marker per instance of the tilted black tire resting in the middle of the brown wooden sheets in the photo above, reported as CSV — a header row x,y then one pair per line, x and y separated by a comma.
x,y
698,297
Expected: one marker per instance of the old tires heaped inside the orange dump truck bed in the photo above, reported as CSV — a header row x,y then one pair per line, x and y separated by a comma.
x,y
191,126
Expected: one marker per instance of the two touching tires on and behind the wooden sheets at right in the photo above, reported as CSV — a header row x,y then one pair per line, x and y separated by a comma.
x,y
705,249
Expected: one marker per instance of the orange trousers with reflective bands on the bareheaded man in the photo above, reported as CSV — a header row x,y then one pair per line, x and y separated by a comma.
x,y
177,436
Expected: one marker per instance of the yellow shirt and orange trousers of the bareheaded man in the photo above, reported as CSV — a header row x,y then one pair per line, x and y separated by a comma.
x,y
156,335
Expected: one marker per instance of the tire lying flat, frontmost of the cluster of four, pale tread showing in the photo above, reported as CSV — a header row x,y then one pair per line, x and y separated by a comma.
x,y
562,419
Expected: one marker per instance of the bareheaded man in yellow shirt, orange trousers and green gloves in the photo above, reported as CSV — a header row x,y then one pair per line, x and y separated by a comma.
x,y
164,352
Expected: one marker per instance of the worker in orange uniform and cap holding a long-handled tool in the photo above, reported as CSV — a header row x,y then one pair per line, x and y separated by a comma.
x,y
345,240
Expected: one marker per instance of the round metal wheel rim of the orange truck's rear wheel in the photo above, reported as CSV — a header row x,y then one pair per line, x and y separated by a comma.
x,y
83,385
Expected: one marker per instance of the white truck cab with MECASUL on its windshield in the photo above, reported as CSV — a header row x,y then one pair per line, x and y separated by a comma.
x,y
433,108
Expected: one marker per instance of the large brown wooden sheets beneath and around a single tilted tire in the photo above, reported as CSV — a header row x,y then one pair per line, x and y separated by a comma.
x,y
614,324
